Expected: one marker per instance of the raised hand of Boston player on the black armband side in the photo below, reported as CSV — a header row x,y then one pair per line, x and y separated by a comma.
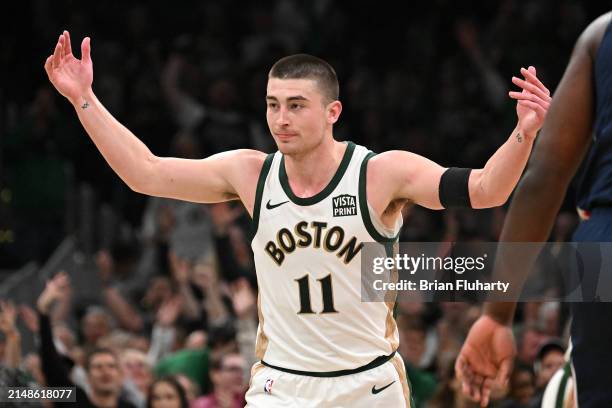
x,y
533,102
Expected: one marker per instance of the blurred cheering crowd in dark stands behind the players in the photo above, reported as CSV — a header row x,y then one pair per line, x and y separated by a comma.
x,y
175,318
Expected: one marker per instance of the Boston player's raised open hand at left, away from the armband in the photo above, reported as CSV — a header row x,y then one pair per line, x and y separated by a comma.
x,y
70,76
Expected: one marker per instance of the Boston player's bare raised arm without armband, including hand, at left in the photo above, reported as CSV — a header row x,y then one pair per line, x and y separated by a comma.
x,y
217,178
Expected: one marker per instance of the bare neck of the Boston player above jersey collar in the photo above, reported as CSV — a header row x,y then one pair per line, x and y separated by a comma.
x,y
309,173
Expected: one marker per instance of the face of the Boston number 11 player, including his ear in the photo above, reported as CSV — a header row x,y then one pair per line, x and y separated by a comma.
x,y
297,114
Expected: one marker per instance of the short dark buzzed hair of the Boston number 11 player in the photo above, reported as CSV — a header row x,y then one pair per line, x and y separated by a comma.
x,y
304,66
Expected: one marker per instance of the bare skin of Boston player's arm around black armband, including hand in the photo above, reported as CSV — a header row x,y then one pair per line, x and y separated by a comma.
x,y
417,179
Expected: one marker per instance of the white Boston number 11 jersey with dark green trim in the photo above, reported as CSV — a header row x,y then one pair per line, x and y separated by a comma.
x,y
308,262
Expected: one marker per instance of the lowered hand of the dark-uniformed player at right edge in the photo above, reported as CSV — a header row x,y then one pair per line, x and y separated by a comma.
x,y
486,357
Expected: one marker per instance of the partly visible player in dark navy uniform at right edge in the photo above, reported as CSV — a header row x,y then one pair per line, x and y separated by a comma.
x,y
580,115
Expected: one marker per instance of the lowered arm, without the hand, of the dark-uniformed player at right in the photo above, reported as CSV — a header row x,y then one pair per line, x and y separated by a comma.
x,y
564,140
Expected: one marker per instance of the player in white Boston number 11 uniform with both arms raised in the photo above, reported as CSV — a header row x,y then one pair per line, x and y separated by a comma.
x,y
313,203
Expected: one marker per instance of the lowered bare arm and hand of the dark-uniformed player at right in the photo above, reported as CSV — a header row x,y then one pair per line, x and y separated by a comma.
x,y
488,350
